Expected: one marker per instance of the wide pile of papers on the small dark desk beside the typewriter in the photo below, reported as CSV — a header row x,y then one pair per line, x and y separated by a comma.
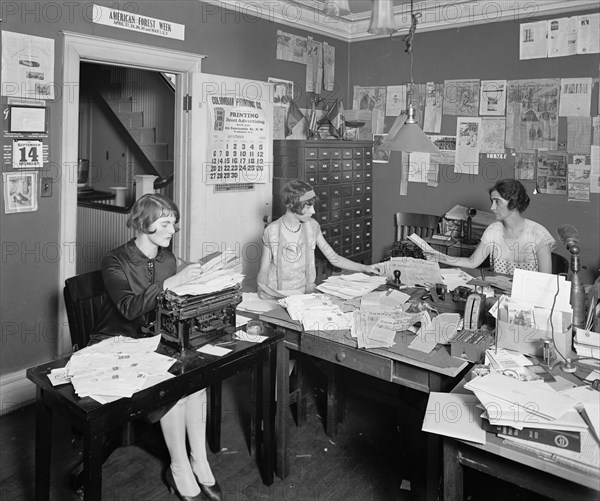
x,y
117,367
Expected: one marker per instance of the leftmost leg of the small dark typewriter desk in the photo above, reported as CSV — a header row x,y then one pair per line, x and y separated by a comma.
x,y
43,447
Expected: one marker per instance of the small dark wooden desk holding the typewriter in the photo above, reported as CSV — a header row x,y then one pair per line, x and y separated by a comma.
x,y
194,372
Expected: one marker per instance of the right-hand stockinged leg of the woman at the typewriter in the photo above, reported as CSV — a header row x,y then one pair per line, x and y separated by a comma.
x,y
195,422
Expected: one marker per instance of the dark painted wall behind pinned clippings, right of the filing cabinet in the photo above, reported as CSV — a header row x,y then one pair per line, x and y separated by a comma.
x,y
489,51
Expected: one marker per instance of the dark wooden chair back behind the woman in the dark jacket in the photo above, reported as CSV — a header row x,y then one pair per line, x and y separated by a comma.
x,y
84,296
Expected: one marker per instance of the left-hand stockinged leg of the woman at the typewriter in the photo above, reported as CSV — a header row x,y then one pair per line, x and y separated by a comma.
x,y
173,425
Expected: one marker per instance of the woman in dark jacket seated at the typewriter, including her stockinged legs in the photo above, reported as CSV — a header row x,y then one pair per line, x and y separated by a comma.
x,y
134,275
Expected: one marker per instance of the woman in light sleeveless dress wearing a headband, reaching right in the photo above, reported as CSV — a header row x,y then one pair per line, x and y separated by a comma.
x,y
287,265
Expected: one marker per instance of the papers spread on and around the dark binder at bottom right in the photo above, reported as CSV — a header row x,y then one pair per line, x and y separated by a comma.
x,y
512,405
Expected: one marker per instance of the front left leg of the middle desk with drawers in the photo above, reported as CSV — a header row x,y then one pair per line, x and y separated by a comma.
x,y
282,466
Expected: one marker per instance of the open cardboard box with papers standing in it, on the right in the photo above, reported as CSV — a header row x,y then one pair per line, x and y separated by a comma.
x,y
529,340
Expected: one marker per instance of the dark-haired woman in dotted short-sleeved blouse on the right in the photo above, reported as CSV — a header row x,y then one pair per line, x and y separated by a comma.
x,y
512,242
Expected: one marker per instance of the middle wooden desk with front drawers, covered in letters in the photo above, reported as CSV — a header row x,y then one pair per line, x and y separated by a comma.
x,y
436,371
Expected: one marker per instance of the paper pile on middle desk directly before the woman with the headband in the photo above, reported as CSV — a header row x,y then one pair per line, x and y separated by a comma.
x,y
317,312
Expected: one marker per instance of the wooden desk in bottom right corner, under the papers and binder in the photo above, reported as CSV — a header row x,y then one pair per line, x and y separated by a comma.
x,y
517,466
